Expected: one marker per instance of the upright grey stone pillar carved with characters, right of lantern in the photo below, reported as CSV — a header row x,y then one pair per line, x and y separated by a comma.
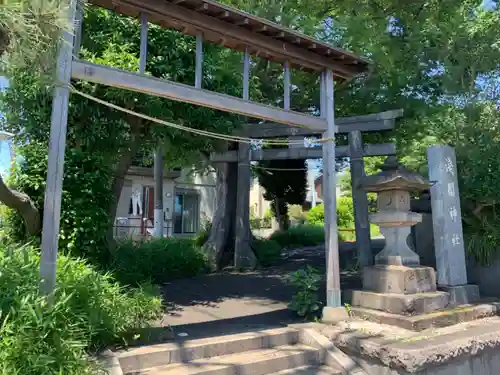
x,y
446,217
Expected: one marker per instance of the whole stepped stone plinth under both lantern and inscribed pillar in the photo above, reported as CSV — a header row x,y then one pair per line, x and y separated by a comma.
x,y
408,297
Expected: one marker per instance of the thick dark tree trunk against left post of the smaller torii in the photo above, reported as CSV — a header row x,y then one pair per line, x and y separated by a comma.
x,y
220,243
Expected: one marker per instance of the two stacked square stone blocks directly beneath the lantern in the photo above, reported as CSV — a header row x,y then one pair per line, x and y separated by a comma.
x,y
403,290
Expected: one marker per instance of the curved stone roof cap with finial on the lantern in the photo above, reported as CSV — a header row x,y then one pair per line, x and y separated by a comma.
x,y
394,176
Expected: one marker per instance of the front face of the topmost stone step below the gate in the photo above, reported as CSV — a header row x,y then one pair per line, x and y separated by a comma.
x,y
175,352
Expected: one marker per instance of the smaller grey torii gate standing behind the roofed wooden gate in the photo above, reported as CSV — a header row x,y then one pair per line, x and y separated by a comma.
x,y
356,150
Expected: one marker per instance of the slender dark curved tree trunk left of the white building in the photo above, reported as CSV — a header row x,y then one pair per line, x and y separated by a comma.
x,y
121,169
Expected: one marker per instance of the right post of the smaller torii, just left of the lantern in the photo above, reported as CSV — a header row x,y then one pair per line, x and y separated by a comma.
x,y
360,200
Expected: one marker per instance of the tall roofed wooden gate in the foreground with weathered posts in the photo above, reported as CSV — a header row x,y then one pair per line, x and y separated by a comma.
x,y
217,23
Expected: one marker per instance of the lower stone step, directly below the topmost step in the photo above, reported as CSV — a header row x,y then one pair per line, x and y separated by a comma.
x,y
255,362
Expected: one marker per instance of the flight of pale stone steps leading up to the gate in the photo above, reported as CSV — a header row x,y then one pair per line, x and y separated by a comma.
x,y
275,351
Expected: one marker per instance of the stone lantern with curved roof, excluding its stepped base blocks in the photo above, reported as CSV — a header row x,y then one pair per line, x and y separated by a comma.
x,y
393,186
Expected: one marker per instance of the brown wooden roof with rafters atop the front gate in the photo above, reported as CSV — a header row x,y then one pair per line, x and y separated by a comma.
x,y
235,29
